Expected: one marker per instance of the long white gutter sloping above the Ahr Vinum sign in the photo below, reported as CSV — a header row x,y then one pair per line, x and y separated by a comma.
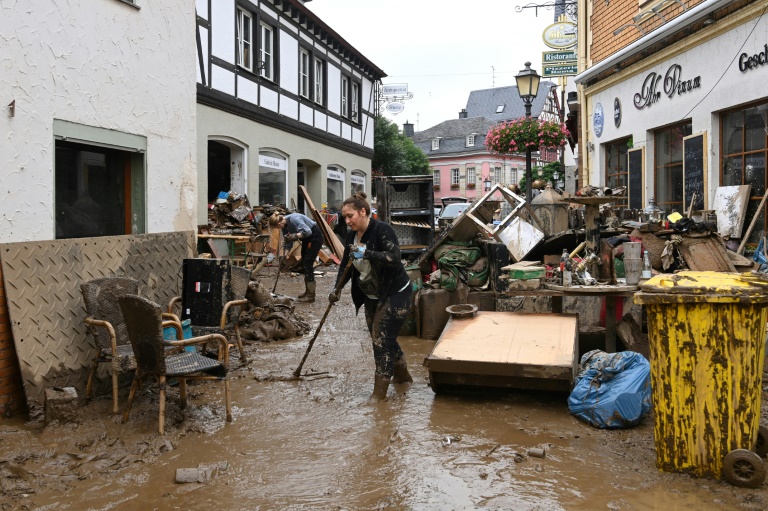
x,y
686,18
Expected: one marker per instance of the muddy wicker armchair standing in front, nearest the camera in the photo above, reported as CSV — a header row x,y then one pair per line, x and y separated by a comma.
x,y
144,326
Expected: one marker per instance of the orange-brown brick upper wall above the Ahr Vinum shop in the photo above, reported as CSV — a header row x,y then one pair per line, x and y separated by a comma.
x,y
609,15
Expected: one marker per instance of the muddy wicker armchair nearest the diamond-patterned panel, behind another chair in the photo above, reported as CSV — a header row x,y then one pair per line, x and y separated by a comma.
x,y
106,324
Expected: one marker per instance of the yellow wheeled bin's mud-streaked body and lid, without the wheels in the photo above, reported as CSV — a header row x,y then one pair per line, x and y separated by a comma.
x,y
707,337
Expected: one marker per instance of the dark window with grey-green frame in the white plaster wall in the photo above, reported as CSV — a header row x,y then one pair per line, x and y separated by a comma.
x,y
99,185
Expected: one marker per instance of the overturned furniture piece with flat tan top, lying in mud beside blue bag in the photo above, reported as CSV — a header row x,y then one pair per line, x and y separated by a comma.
x,y
503,349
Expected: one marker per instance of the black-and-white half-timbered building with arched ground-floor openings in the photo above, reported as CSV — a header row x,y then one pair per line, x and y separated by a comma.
x,y
283,101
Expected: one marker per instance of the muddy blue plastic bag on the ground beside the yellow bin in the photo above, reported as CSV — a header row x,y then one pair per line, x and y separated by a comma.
x,y
613,390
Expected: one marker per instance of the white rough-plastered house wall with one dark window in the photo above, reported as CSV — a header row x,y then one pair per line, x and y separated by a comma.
x,y
97,127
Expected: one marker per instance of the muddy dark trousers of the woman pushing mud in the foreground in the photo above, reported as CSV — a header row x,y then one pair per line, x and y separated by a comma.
x,y
384,321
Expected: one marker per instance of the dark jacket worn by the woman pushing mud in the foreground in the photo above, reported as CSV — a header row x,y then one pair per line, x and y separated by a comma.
x,y
383,250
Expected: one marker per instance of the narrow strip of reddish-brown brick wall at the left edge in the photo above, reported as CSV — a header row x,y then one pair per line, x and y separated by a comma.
x,y
12,400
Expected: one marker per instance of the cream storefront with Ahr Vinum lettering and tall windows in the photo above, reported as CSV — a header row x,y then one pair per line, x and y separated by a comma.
x,y
686,119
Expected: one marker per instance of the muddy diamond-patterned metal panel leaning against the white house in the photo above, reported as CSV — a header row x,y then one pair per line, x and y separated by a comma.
x,y
42,284
